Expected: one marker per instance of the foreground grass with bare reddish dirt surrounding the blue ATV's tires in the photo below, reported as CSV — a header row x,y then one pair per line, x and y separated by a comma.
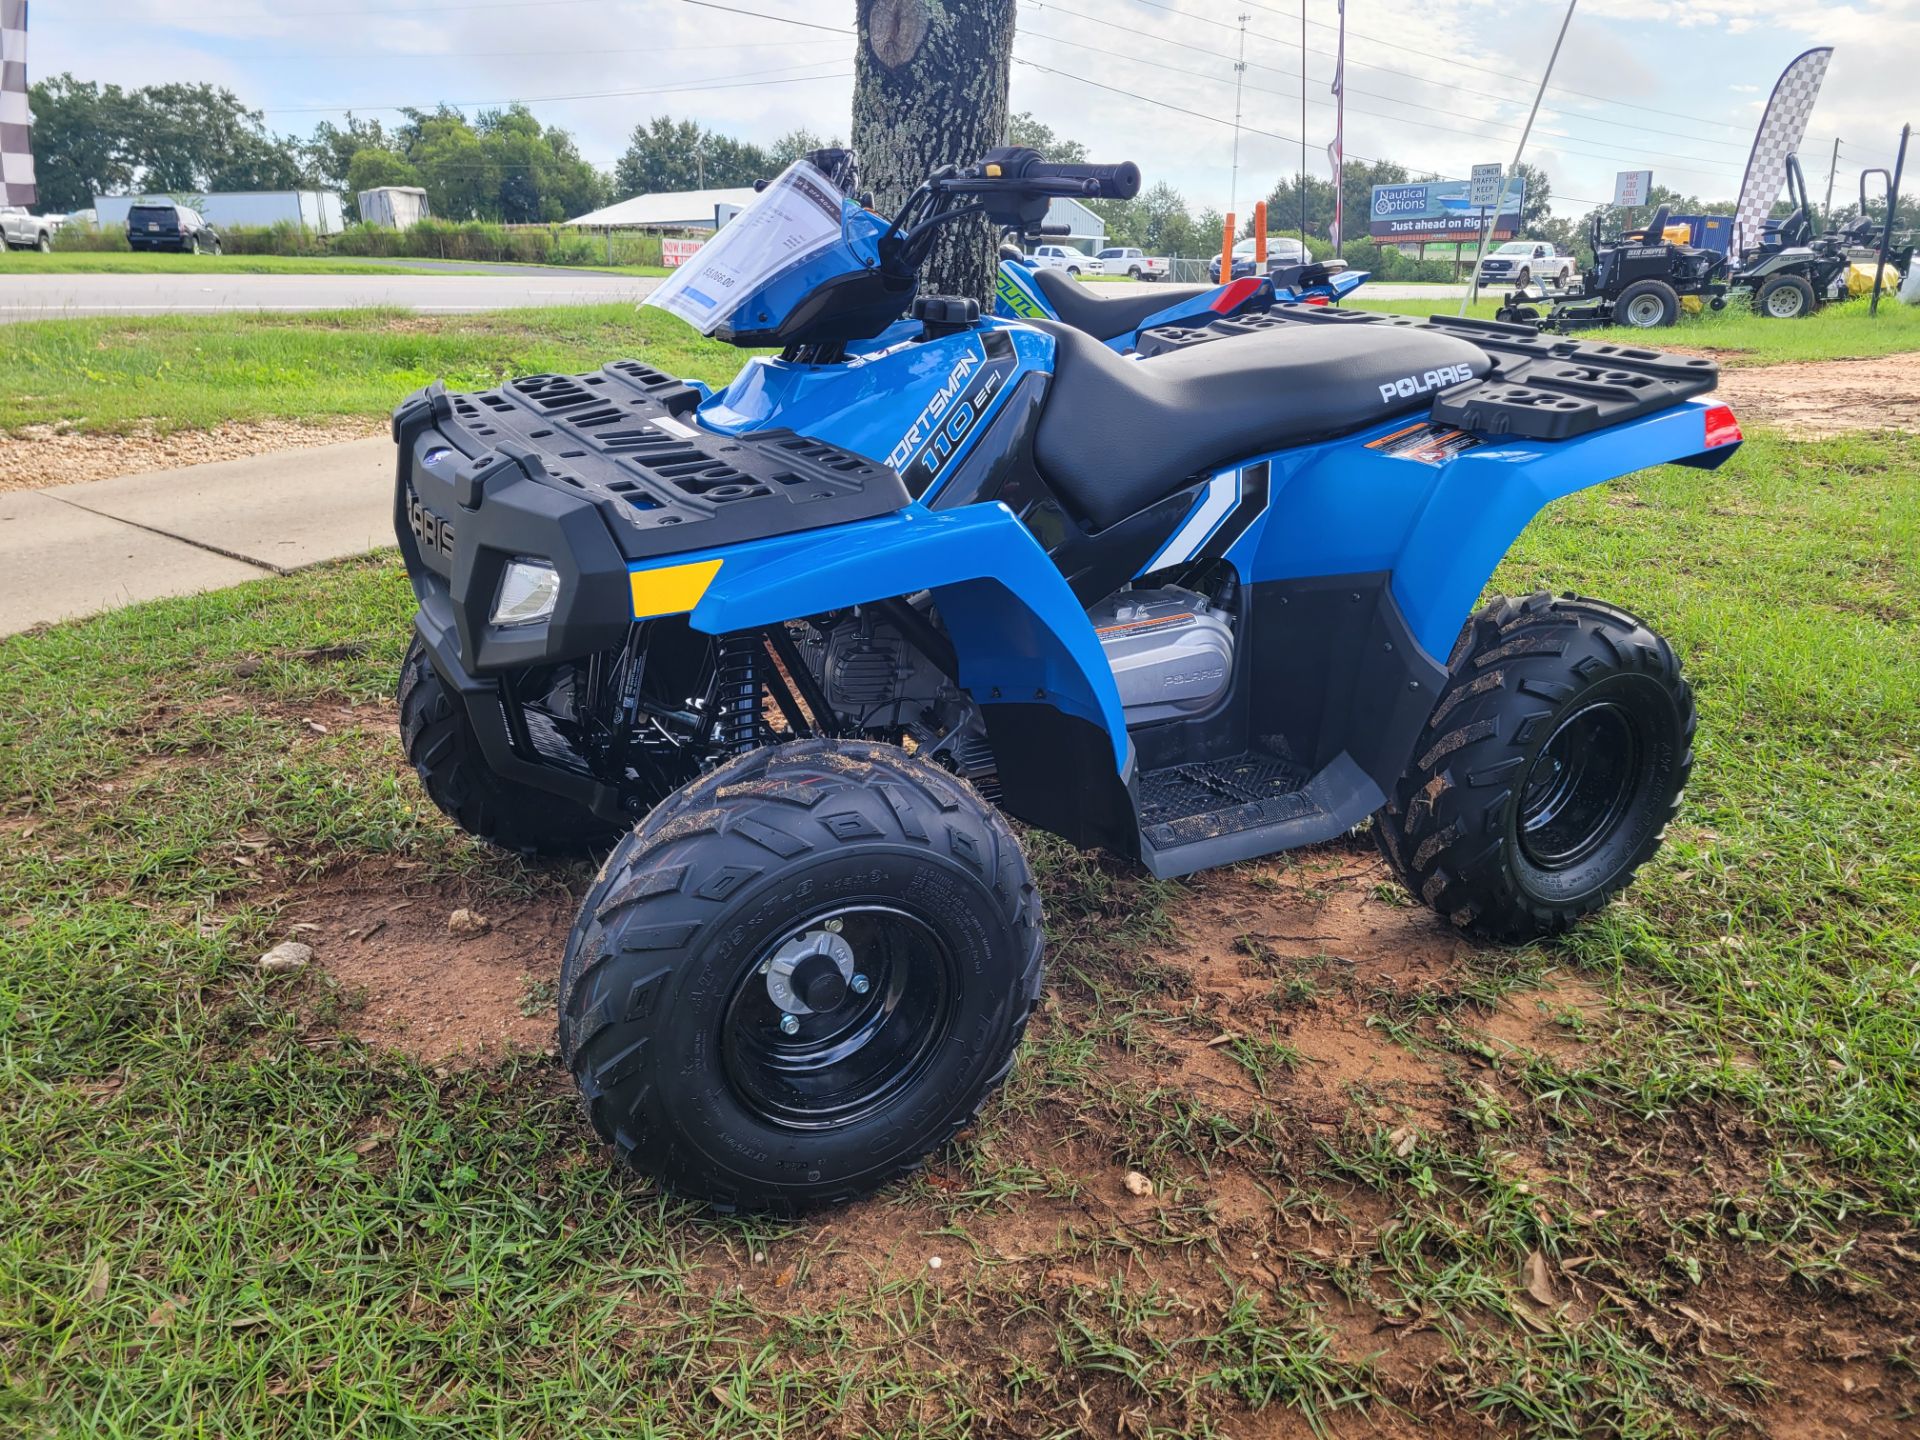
x,y
1656,1182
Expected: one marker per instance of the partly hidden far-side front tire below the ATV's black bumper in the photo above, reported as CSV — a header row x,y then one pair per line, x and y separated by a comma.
x,y
446,756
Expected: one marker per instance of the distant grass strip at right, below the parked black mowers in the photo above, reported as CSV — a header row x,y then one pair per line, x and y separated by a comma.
x,y
1742,337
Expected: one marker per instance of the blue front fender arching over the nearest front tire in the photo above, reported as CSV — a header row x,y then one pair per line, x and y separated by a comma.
x,y
1020,635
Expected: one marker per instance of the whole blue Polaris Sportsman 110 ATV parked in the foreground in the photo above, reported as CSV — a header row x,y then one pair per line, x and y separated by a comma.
x,y
796,650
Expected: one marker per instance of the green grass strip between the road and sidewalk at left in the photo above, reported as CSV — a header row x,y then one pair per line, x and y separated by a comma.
x,y
197,372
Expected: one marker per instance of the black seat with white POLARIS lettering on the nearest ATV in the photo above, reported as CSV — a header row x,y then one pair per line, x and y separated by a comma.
x,y
1118,433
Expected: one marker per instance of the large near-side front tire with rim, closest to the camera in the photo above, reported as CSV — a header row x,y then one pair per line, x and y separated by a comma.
x,y
802,976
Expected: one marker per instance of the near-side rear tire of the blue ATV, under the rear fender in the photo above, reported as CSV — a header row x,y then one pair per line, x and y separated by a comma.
x,y
1548,771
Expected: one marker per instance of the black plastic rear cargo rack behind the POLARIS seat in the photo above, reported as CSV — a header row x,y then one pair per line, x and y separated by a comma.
x,y
1541,387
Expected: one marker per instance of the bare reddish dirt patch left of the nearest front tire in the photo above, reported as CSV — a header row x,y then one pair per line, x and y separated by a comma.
x,y
414,984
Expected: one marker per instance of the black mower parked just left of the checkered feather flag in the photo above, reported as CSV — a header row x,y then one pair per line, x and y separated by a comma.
x,y
1644,279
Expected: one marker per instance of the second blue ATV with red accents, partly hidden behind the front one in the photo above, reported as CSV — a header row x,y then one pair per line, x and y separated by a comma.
x,y
1030,293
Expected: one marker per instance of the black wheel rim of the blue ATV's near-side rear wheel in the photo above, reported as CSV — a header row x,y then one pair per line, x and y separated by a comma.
x,y
1581,786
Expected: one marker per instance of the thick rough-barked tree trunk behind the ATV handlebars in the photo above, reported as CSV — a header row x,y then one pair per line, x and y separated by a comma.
x,y
930,89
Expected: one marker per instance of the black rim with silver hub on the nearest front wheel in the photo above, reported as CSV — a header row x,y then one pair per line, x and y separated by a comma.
x,y
809,1068
